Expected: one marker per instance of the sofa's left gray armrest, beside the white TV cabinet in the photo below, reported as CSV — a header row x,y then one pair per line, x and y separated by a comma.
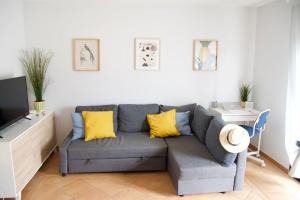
x,y
63,154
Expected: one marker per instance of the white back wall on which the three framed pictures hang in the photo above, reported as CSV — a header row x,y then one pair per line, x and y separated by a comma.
x,y
53,25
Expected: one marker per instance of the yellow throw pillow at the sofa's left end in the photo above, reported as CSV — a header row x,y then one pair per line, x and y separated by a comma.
x,y
98,125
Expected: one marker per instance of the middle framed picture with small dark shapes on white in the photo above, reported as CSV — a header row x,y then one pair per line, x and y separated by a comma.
x,y
147,54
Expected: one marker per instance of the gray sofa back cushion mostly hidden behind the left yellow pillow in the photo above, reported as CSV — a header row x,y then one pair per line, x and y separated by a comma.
x,y
111,107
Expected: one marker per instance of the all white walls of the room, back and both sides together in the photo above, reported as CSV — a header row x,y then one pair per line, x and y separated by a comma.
x,y
52,25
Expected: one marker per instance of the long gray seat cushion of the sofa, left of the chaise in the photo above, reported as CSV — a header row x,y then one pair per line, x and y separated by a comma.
x,y
123,146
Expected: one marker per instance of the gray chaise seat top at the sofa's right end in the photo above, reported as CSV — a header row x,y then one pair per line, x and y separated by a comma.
x,y
191,160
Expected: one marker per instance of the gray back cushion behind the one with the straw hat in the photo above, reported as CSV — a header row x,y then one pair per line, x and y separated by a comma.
x,y
201,122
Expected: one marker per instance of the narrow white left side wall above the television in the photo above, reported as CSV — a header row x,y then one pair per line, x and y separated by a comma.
x,y
11,37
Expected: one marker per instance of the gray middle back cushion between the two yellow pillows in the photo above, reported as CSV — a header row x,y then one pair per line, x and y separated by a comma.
x,y
133,117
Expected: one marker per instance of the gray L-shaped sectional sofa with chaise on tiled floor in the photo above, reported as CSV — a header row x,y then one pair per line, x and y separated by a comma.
x,y
197,164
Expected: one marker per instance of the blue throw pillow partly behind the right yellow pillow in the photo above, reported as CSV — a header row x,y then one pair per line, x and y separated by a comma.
x,y
183,123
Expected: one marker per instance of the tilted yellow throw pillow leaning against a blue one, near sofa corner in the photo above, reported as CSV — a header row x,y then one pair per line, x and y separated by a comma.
x,y
163,124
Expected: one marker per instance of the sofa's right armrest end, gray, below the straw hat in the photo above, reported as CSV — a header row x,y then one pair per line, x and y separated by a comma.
x,y
240,162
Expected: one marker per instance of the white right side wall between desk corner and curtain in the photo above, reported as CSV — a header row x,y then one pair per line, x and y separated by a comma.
x,y
270,74
